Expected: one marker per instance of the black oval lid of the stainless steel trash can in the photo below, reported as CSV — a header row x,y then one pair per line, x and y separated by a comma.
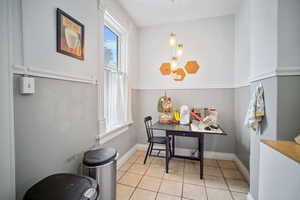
x,y
99,157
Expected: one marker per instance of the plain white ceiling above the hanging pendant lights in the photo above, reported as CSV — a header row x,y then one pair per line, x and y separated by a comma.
x,y
153,12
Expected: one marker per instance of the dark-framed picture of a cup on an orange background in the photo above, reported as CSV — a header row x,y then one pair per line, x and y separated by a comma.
x,y
70,35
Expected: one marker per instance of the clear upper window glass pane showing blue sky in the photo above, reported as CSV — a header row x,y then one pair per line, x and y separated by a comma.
x,y
110,49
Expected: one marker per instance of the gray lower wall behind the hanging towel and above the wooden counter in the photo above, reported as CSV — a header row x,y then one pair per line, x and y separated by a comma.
x,y
282,101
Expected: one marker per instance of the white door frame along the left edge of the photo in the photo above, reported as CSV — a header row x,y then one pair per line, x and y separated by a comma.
x,y
7,154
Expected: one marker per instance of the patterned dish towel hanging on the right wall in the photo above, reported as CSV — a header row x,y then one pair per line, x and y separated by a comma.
x,y
256,110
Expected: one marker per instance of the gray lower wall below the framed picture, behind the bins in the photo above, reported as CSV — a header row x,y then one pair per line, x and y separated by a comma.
x,y
53,127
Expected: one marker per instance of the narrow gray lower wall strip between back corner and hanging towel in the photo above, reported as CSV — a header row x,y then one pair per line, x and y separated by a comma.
x,y
242,148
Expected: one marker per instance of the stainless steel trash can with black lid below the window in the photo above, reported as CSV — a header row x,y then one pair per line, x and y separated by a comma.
x,y
101,164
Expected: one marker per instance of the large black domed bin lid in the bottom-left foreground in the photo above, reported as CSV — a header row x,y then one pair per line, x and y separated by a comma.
x,y
63,187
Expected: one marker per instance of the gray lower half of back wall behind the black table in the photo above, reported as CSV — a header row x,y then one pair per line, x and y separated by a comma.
x,y
221,99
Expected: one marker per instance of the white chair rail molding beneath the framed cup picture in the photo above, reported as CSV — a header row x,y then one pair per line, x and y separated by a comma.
x,y
39,72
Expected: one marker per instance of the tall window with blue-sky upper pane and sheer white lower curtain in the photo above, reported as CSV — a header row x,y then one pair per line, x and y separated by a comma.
x,y
115,75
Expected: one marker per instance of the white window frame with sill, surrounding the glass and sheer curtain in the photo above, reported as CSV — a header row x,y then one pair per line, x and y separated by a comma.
x,y
122,34
